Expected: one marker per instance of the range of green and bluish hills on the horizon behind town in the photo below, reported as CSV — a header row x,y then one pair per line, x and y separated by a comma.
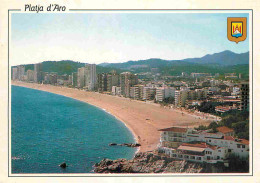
x,y
223,62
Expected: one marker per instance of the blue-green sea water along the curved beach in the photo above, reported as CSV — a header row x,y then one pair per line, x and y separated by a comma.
x,y
48,129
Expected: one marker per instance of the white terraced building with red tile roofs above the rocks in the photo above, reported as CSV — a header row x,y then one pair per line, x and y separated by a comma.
x,y
201,146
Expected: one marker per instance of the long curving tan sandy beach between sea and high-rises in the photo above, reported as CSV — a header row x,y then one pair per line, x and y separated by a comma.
x,y
143,119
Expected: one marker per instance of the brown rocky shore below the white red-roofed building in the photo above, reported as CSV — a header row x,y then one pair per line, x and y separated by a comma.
x,y
148,163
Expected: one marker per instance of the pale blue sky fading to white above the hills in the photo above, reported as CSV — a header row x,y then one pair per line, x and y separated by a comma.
x,y
119,37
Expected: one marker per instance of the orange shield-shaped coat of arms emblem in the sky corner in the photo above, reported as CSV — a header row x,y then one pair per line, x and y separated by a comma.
x,y
236,29
